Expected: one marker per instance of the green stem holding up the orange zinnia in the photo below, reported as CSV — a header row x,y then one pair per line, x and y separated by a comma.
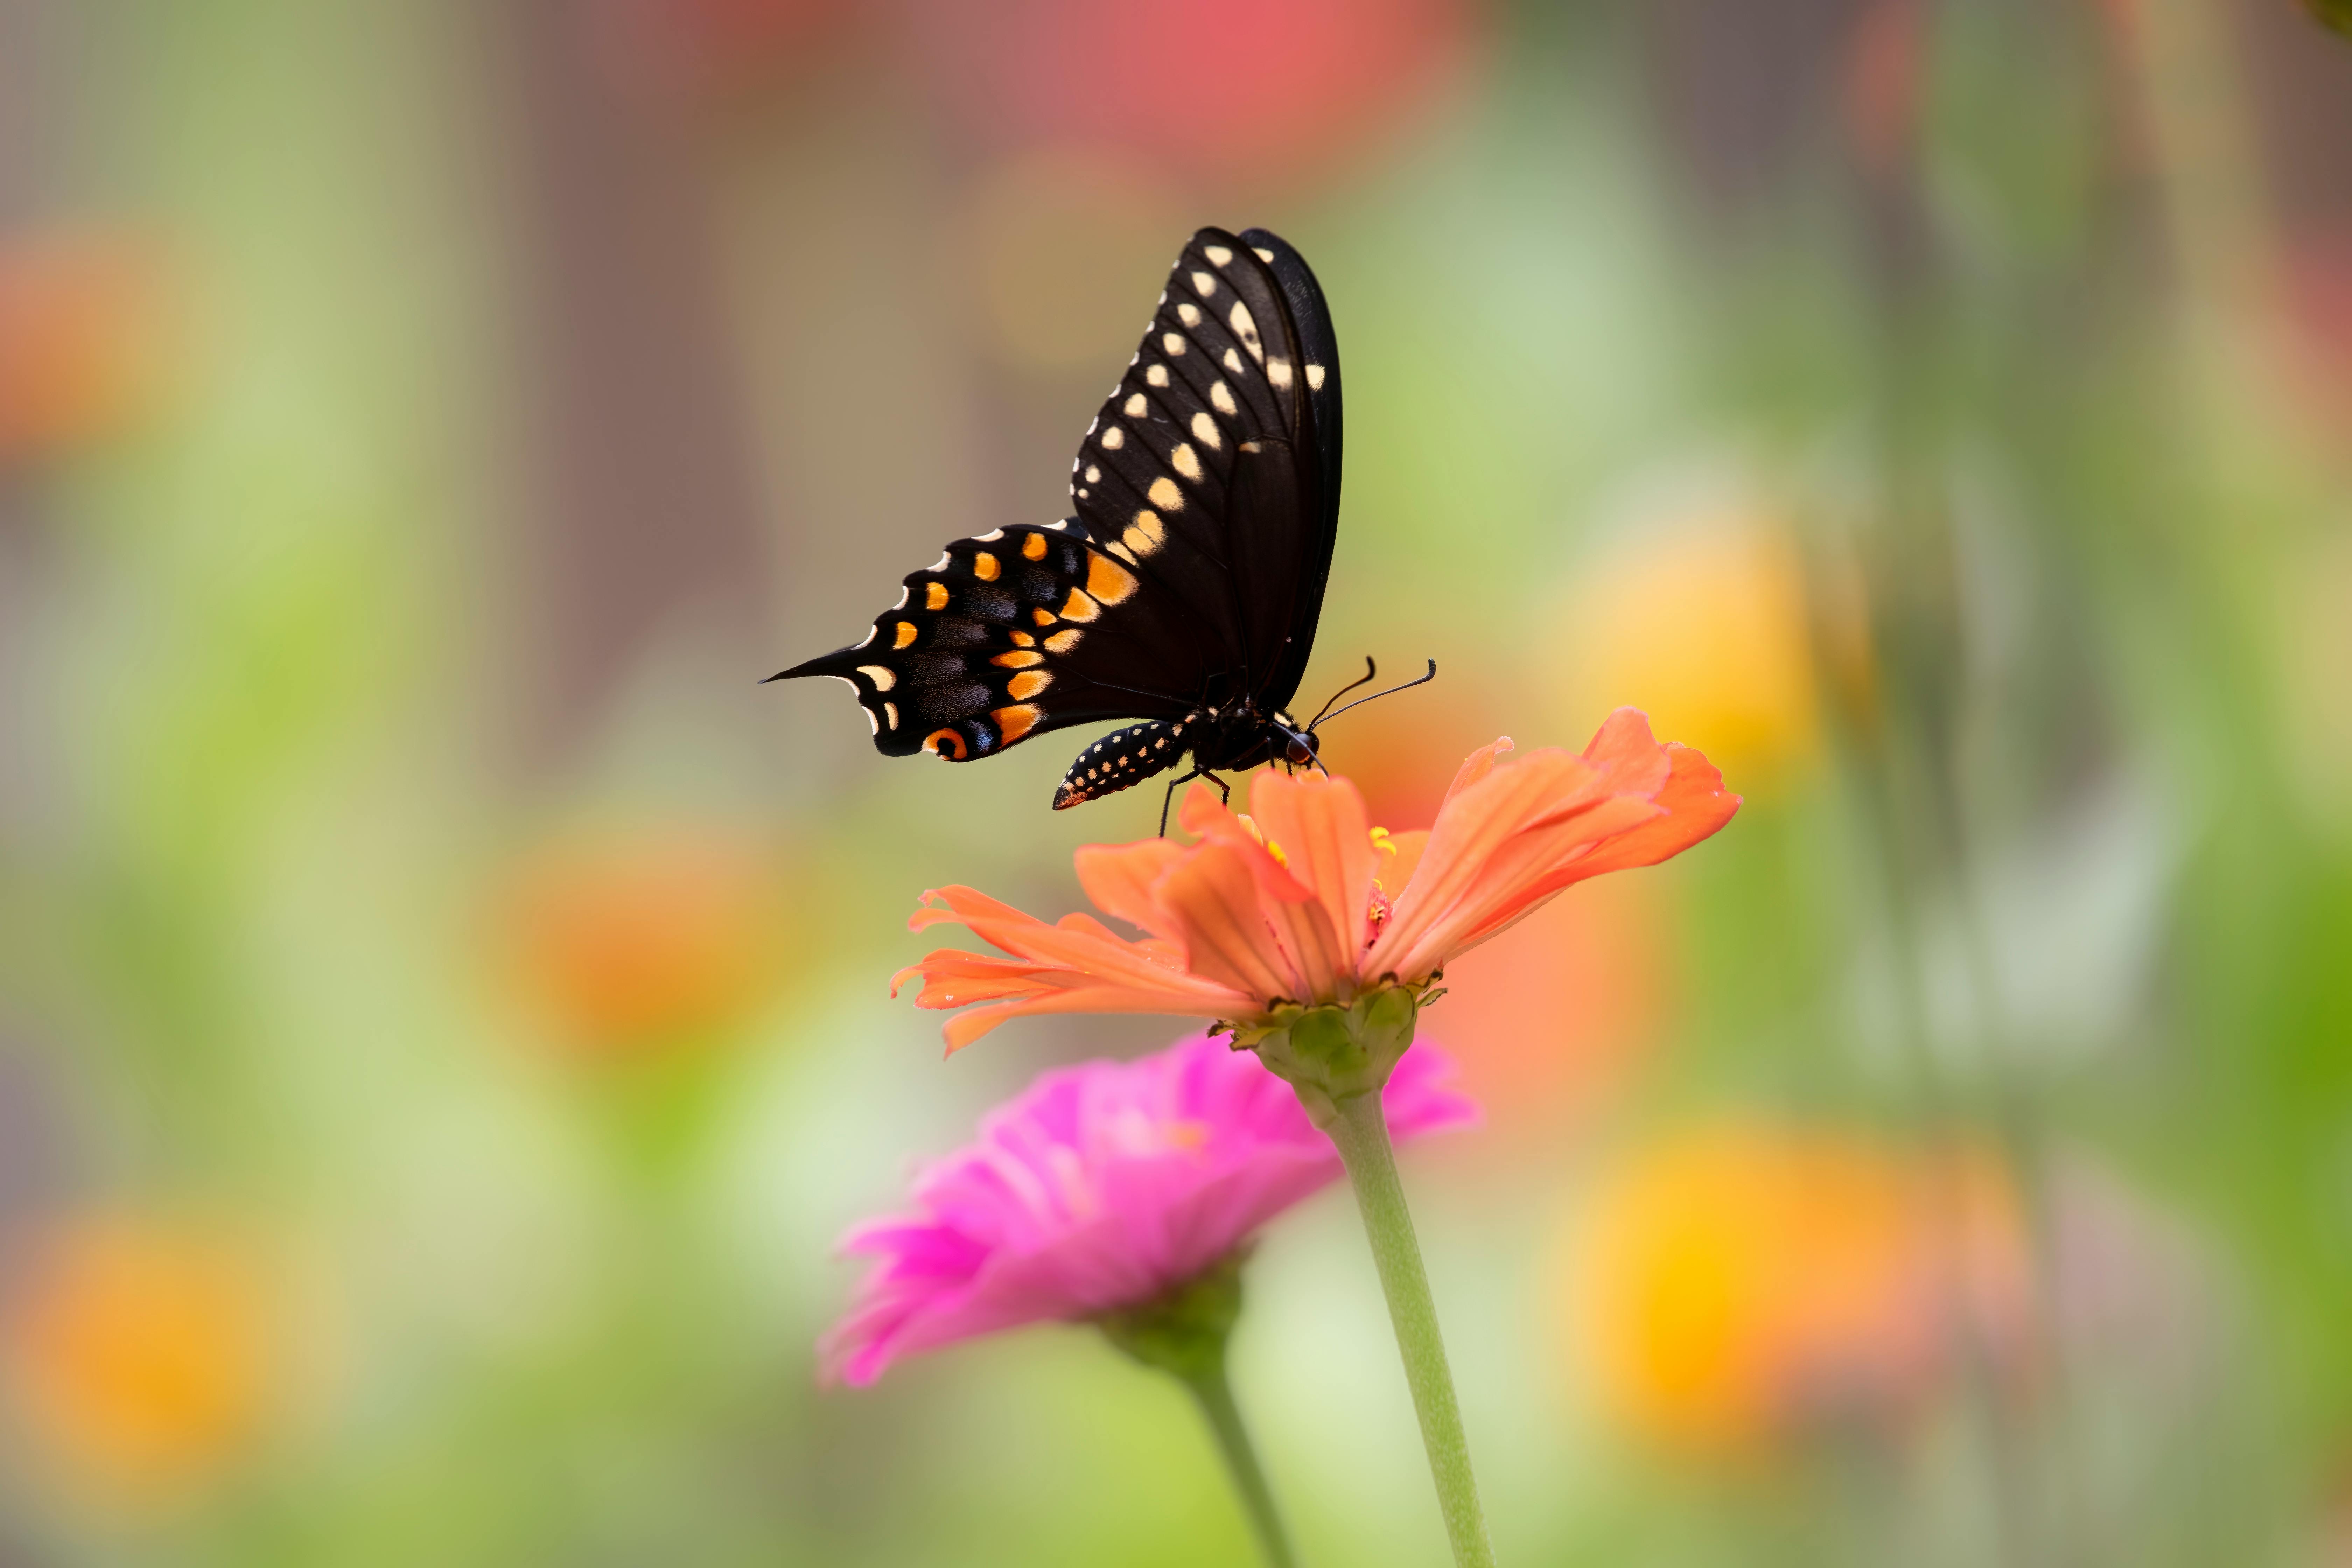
x,y
1361,1132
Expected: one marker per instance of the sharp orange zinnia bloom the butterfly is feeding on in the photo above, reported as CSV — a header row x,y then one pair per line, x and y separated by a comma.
x,y
1304,904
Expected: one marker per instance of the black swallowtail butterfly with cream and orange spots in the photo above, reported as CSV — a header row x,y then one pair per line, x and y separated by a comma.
x,y
1184,591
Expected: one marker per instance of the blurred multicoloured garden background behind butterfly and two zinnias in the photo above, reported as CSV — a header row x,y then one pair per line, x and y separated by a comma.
x,y
443,1003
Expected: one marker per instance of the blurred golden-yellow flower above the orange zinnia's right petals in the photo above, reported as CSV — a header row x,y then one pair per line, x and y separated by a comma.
x,y
1704,626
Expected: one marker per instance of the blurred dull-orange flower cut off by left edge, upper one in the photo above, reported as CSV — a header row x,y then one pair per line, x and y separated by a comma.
x,y
81,340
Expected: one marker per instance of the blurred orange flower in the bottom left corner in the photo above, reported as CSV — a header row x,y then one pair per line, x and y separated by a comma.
x,y
140,1353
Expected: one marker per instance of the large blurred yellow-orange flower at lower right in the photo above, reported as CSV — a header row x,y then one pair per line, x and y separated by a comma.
x,y
1744,1285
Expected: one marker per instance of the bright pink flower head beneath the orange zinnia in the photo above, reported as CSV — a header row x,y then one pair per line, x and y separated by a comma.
x,y
1100,1188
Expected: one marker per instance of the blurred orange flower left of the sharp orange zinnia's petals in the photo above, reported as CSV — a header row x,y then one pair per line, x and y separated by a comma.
x,y
632,944
